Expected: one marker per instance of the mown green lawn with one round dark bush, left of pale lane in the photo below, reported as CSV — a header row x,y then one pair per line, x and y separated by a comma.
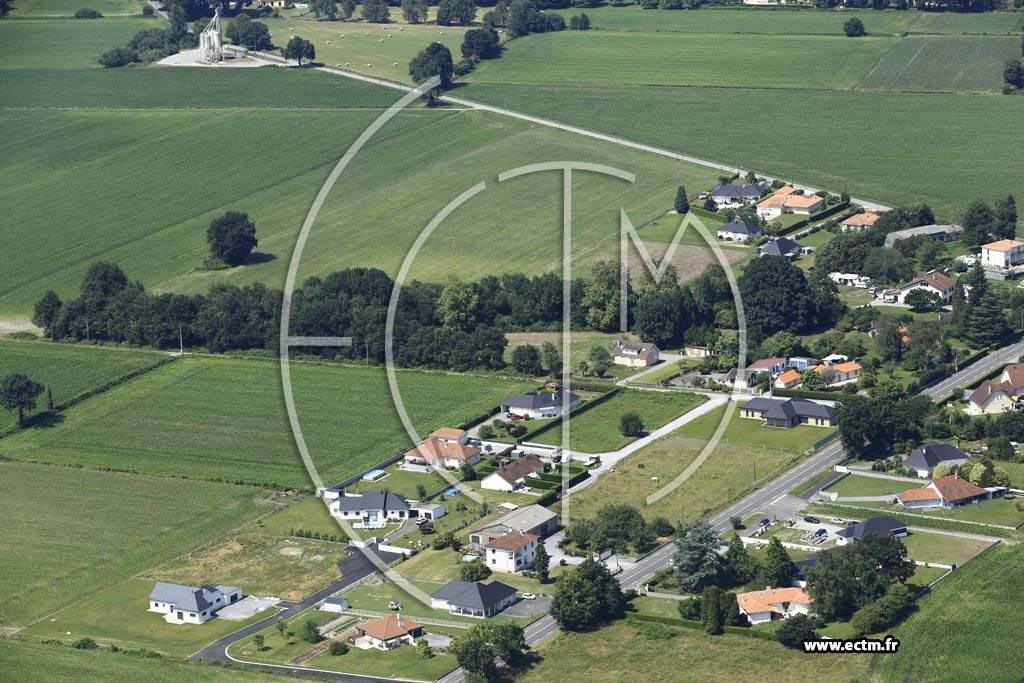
x,y
596,431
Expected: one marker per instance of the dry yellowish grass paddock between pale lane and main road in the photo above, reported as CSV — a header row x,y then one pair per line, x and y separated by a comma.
x,y
727,476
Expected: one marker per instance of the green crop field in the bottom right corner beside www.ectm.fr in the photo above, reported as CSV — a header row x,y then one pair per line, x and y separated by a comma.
x,y
953,637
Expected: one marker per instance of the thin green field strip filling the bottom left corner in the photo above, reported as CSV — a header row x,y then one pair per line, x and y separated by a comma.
x,y
34,663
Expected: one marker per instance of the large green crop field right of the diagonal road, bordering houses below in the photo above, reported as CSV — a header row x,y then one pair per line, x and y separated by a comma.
x,y
900,162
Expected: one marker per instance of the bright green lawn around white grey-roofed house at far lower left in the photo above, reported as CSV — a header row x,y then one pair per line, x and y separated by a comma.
x,y
119,616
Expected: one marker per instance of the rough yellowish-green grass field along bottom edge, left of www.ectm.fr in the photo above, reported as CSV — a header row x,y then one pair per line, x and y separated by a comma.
x,y
600,657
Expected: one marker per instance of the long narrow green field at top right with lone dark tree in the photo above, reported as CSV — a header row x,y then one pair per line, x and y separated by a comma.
x,y
771,21
